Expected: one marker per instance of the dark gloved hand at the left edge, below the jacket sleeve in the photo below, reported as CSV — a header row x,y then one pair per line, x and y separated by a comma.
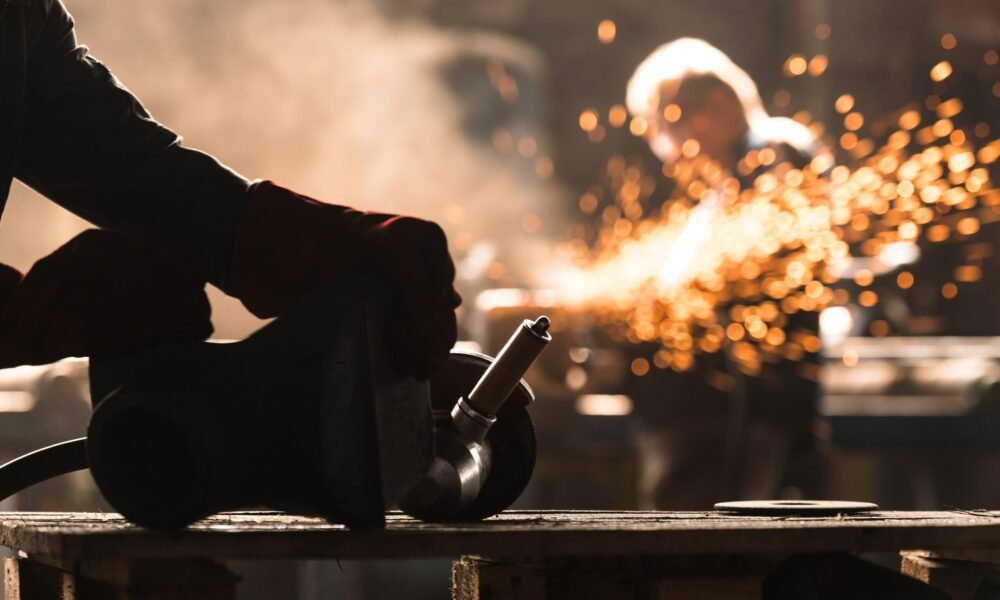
x,y
102,294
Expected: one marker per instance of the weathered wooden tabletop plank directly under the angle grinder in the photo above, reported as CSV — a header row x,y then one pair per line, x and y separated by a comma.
x,y
77,536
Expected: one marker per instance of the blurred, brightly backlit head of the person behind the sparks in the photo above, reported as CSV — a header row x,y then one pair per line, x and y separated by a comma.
x,y
689,90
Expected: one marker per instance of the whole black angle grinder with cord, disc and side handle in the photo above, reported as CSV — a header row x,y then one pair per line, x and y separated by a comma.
x,y
306,415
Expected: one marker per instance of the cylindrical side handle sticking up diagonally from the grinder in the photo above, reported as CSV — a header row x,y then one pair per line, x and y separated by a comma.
x,y
510,365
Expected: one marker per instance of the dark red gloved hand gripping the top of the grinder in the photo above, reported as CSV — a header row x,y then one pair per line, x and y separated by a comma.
x,y
288,245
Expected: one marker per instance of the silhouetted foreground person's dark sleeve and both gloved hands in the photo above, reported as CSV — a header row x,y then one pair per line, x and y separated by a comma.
x,y
172,219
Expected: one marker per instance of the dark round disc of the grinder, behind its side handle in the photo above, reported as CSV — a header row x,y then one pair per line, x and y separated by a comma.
x,y
512,437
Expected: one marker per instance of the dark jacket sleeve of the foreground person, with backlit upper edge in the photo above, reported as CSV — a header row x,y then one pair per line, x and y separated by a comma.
x,y
90,146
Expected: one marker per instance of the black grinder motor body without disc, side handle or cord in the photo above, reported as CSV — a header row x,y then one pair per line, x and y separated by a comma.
x,y
305,415
